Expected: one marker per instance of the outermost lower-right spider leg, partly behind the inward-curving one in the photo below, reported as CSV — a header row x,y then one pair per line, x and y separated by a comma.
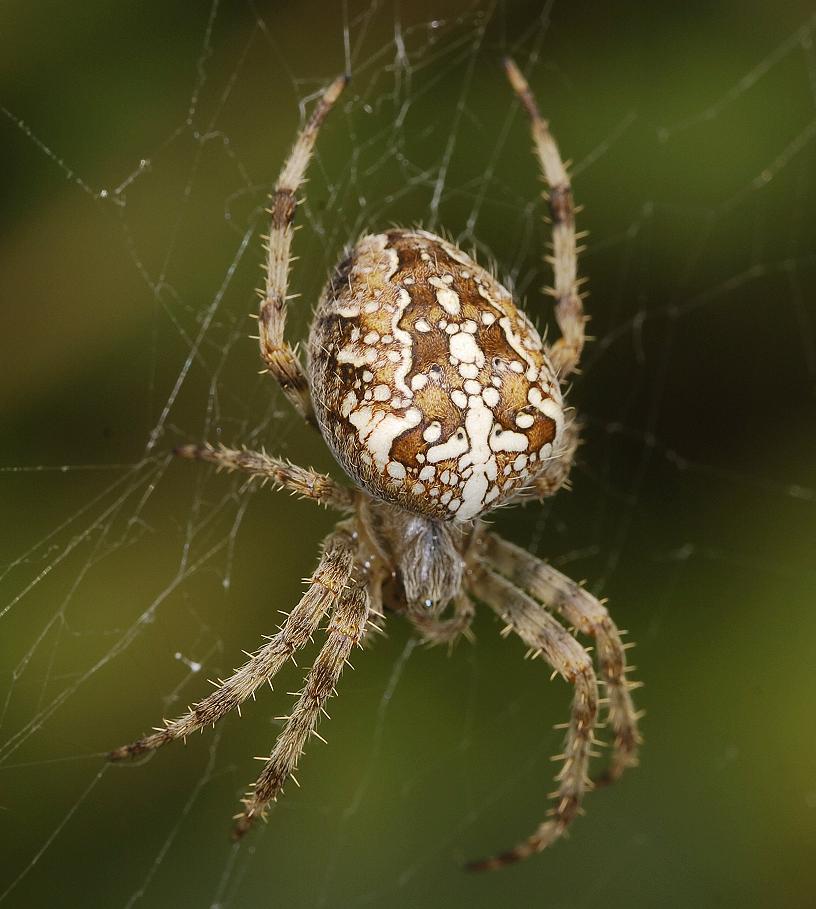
x,y
586,613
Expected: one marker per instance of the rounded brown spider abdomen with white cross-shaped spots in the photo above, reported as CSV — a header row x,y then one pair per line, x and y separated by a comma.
x,y
432,389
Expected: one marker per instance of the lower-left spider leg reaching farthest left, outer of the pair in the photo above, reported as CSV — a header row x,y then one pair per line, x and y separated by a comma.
x,y
325,587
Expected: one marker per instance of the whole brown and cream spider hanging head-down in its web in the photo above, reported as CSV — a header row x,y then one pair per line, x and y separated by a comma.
x,y
437,397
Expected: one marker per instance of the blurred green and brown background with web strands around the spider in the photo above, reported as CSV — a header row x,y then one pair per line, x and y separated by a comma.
x,y
138,143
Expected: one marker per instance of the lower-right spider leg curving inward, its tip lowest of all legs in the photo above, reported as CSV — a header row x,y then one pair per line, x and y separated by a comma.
x,y
545,636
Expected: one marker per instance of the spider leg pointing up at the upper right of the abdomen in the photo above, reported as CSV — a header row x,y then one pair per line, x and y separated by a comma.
x,y
569,308
